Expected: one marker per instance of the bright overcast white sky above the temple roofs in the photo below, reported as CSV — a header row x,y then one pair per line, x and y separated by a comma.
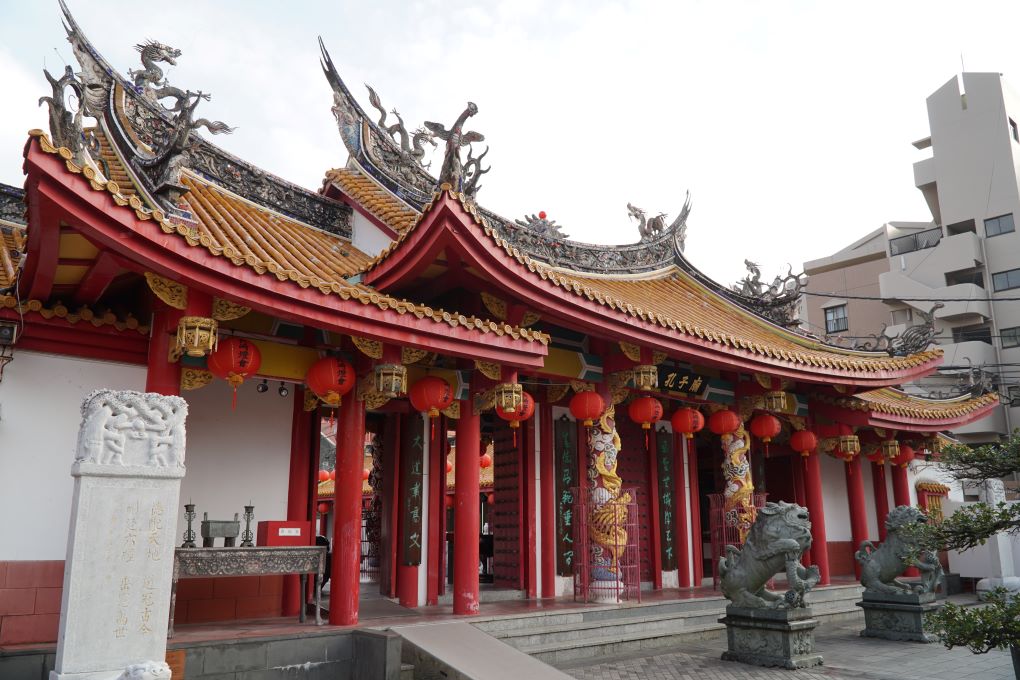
x,y
790,123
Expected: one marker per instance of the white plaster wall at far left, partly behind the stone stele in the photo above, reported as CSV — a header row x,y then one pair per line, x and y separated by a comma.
x,y
40,409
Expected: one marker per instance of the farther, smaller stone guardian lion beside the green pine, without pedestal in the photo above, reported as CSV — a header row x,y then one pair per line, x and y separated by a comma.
x,y
881,566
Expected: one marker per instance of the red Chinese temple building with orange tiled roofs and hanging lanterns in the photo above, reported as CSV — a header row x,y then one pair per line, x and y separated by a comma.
x,y
634,412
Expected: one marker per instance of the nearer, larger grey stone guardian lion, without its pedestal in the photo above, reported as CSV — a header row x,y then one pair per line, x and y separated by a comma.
x,y
777,541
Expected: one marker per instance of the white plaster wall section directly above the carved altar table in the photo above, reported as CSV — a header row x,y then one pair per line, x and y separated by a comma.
x,y
237,456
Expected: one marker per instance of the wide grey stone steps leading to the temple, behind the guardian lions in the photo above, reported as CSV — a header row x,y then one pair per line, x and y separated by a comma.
x,y
565,637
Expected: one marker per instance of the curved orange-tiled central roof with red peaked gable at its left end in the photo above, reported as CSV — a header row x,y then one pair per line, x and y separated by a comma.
x,y
672,299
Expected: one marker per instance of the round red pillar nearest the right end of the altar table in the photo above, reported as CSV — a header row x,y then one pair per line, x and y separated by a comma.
x,y
347,519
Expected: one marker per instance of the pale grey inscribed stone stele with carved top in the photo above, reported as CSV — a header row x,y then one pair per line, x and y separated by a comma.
x,y
117,592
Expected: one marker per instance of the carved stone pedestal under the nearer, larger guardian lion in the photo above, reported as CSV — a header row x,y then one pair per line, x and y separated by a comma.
x,y
782,639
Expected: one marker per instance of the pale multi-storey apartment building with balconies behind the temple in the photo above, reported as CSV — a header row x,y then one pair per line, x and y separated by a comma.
x,y
968,256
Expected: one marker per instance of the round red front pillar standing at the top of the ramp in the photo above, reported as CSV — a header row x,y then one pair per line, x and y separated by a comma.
x,y
468,509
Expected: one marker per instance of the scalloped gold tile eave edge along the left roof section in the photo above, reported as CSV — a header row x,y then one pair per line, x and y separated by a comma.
x,y
342,289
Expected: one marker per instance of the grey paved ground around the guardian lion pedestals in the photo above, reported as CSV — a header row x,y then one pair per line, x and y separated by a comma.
x,y
848,657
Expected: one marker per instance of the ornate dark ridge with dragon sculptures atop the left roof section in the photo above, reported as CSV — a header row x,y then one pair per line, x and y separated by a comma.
x,y
134,116
